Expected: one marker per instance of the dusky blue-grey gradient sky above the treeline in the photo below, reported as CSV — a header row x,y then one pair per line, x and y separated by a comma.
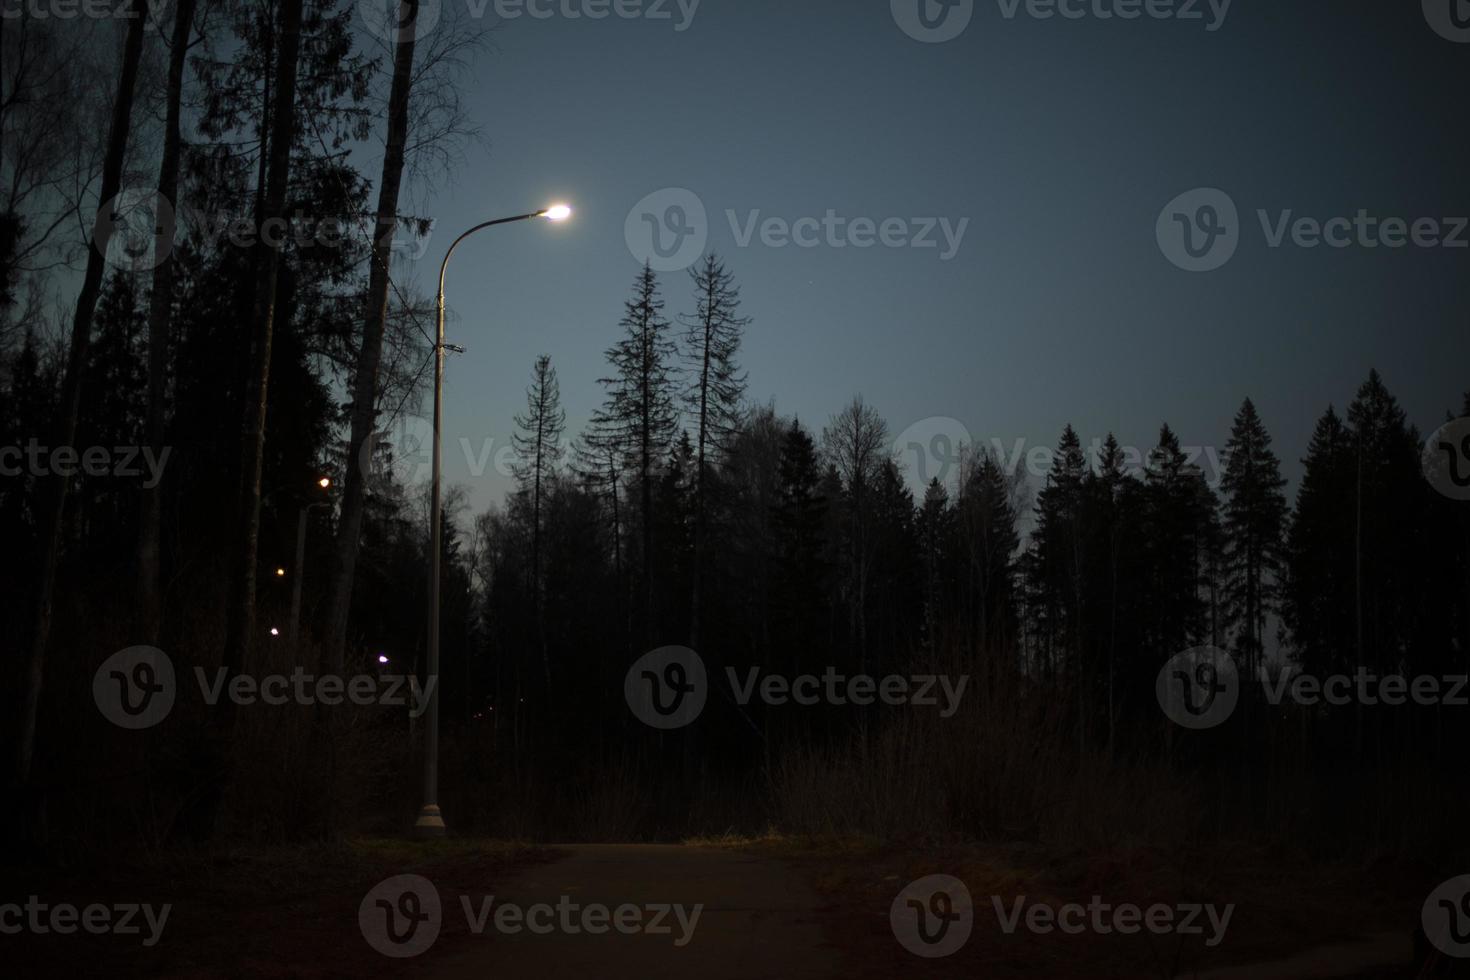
x,y
1059,140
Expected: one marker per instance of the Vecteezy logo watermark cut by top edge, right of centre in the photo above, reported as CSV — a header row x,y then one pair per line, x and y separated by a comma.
x,y
939,21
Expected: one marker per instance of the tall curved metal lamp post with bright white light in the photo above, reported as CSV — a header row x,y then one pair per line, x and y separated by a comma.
x,y
431,822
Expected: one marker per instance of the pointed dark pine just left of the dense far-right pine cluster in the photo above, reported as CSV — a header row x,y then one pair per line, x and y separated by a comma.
x,y
1255,525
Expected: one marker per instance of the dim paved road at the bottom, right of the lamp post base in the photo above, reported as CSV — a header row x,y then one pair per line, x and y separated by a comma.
x,y
758,920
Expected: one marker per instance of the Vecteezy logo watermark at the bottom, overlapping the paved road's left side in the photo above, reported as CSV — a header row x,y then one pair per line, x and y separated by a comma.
x,y
404,916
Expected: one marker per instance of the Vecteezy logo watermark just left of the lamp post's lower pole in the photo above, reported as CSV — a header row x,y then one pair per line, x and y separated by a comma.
x,y
136,688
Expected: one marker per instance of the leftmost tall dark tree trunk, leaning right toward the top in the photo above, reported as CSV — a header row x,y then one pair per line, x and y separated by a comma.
x,y
54,512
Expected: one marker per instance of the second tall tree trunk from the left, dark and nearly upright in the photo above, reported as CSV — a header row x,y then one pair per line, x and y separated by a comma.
x,y
161,305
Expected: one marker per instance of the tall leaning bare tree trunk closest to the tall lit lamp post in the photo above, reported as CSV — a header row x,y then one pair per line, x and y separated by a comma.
x,y
370,356
